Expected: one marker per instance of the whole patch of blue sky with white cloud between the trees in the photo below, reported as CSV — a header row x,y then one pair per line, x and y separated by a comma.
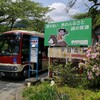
x,y
59,14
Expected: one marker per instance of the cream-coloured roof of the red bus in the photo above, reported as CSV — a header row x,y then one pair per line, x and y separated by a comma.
x,y
33,33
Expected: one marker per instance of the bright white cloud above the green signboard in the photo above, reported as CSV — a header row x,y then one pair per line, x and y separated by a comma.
x,y
59,13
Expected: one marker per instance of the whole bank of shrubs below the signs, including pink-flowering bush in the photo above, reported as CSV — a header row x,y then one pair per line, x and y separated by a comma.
x,y
89,76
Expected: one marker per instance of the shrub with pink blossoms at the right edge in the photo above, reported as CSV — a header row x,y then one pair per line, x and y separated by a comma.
x,y
92,65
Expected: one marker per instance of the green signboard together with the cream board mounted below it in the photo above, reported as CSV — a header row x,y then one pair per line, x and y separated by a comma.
x,y
67,37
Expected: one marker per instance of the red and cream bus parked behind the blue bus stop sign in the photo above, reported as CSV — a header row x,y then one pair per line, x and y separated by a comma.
x,y
15,53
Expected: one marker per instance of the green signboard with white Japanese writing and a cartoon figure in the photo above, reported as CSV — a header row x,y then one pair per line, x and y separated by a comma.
x,y
69,33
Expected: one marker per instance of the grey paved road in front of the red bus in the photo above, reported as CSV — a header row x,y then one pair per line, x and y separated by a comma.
x,y
9,88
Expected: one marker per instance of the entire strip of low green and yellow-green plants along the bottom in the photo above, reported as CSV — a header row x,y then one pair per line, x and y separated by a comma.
x,y
44,91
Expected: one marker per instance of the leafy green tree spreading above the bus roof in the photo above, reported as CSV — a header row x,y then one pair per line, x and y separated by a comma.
x,y
11,11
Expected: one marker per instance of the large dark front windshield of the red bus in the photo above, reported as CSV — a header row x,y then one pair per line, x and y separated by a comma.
x,y
9,44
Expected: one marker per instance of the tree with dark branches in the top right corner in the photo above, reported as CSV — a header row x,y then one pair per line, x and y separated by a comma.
x,y
93,12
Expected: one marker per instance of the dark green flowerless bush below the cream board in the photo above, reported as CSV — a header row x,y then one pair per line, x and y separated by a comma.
x,y
65,75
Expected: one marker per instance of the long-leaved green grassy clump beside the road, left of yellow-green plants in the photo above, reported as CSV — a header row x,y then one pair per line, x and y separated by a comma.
x,y
43,92
